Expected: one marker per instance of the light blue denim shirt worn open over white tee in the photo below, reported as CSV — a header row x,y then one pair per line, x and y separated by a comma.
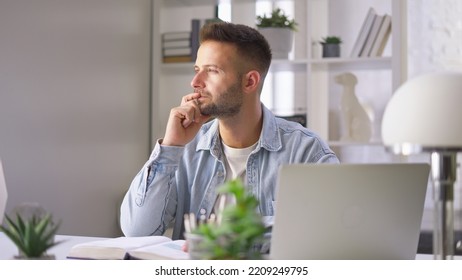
x,y
179,180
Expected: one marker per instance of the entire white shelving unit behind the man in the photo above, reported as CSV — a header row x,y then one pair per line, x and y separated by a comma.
x,y
305,79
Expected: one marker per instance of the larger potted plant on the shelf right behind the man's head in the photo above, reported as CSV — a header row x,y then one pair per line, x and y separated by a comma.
x,y
278,30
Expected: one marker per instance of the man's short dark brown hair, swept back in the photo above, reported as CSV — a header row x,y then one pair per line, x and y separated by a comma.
x,y
251,44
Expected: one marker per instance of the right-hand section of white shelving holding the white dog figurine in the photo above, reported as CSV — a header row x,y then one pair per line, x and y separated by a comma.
x,y
377,77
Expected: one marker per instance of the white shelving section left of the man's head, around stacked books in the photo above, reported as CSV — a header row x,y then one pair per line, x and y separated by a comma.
x,y
171,81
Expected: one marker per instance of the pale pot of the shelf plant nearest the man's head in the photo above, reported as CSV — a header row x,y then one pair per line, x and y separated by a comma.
x,y
280,40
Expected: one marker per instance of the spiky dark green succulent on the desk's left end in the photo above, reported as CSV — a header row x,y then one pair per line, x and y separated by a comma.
x,y
33,236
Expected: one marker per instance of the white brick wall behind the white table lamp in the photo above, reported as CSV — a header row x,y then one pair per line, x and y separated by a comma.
x,y
435,44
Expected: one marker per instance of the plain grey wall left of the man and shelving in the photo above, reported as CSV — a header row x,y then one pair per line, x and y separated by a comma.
x,y
74,106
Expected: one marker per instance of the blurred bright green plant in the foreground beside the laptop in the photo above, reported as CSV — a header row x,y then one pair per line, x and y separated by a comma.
x,y
238,232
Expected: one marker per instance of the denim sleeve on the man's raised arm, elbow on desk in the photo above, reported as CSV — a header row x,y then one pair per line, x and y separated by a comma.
x,y
150,202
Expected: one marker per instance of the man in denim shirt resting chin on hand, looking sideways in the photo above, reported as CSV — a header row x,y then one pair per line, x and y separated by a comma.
x,y
244,139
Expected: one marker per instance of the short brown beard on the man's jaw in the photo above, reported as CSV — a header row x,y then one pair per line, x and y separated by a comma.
x,y
228,103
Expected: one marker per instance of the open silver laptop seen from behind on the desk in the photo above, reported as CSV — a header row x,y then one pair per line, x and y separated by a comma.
x,y
349,211
